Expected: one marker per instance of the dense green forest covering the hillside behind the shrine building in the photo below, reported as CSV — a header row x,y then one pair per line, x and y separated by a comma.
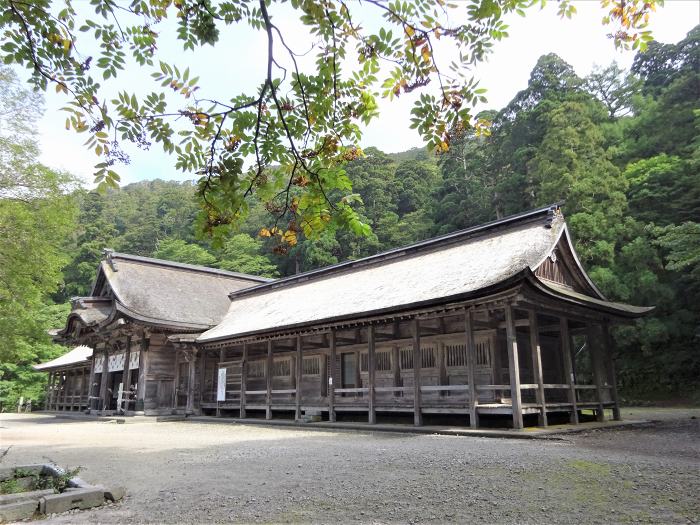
x,y
621,148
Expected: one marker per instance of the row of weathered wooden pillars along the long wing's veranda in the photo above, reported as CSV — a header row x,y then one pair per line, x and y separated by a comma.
x,y
601,358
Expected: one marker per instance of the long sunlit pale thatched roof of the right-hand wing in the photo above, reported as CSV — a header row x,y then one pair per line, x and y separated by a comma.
x,y
448,267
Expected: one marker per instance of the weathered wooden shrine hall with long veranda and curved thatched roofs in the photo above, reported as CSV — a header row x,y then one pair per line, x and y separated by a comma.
x,y
493,325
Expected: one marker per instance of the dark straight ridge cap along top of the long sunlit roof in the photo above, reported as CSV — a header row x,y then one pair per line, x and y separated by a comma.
x,y
446,239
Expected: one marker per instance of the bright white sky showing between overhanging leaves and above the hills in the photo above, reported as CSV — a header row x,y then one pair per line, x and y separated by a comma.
x,y
237,64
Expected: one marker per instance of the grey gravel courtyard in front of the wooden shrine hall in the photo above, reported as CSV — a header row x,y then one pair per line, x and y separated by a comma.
x,y
213,472
